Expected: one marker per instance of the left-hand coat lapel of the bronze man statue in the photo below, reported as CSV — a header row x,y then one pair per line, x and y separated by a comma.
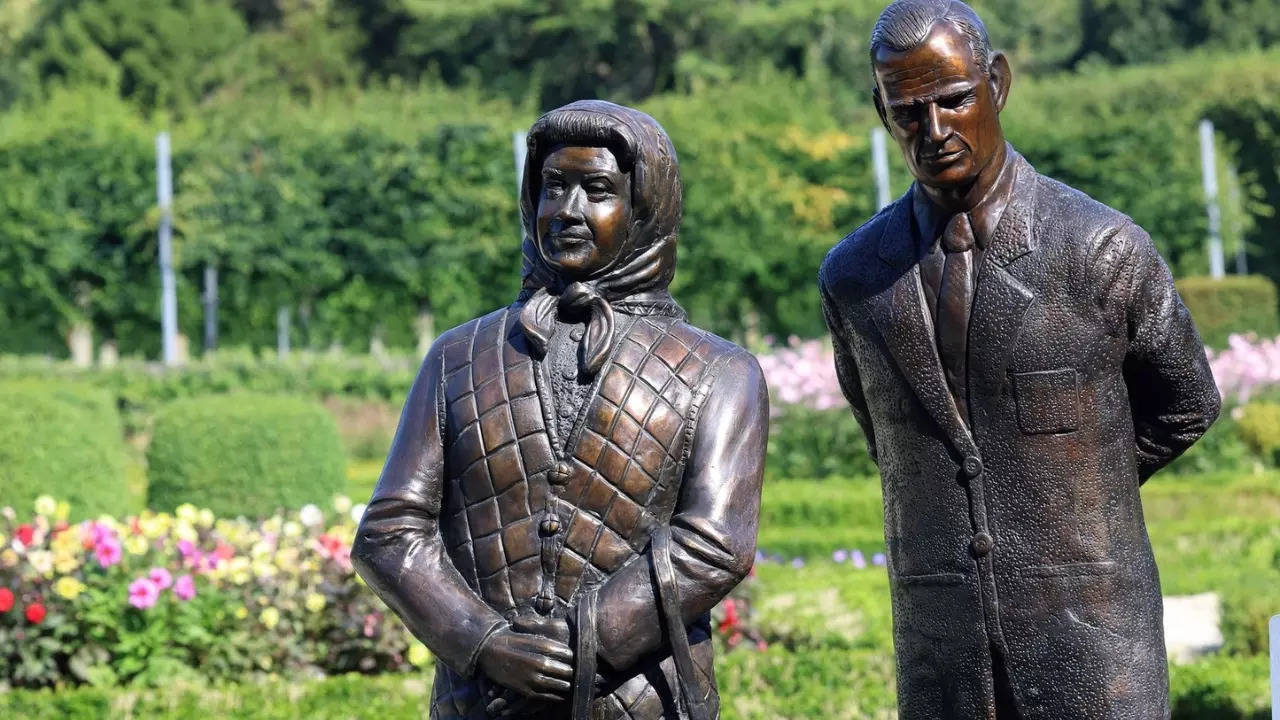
x,y
904,322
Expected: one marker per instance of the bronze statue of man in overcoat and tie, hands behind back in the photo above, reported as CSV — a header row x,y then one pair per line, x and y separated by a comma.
x,y
1021,364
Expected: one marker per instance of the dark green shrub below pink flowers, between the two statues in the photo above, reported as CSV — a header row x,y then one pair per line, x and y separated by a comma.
x,y
817,444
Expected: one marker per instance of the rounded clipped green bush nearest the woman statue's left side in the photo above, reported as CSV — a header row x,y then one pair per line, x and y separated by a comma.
x,y
244,455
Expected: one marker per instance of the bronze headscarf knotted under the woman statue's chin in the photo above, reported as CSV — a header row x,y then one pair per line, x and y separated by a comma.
x,y
637,281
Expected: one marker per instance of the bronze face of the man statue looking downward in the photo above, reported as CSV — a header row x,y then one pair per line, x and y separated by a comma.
x,y
941,108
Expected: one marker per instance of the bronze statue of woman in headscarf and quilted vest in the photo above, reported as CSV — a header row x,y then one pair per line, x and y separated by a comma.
x,y
577,477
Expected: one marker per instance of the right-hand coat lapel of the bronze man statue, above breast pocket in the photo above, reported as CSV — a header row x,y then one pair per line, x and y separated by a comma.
x,y
1002,300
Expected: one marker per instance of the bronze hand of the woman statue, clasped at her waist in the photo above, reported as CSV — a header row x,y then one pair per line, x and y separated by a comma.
x,y
532,666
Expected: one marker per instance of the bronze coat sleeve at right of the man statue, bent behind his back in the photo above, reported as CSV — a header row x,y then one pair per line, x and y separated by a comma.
x,y
1172,390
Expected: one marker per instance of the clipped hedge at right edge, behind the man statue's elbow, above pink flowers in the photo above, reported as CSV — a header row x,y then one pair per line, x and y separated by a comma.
x,y
1235,304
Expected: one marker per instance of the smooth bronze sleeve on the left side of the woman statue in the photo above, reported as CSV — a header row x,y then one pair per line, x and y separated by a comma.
x,y
399,550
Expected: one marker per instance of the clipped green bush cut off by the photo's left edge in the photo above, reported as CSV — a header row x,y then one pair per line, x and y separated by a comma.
x,y
65,441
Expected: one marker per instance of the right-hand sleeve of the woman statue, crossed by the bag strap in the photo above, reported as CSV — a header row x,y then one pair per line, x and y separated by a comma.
x,y
715,522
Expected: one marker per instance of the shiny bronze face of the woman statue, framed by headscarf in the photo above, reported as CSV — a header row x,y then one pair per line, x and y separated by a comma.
x,y
584,211
